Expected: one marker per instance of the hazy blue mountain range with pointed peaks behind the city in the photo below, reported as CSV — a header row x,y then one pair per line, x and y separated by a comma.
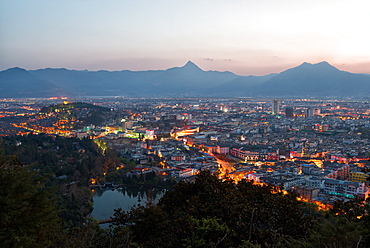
x,y
306,80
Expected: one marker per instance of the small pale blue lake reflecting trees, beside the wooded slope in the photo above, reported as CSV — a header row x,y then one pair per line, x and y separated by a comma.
x,y
106,200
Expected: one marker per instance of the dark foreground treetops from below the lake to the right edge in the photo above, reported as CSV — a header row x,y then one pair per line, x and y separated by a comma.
x,y
215,213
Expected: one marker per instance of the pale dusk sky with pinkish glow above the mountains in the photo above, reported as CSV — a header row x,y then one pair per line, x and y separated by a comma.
x,y
246,37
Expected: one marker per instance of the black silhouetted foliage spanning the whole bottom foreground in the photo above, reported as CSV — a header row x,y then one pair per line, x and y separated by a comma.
x,y
206,213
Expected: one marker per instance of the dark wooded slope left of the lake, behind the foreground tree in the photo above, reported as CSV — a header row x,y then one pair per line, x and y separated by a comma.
x,y
65,166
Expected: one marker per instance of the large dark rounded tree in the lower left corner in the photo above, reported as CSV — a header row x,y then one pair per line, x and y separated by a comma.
x,y
28,216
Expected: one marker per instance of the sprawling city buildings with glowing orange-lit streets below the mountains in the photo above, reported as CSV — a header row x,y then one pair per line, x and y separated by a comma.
x,y
317,148
